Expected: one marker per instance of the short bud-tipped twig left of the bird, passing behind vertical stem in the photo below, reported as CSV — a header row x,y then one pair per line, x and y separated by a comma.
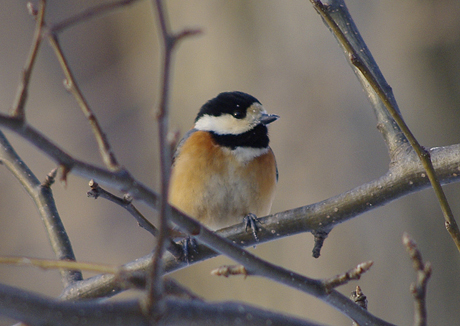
x,y
126,202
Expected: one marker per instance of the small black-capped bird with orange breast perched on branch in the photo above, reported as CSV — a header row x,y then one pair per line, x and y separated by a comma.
x,y
223,170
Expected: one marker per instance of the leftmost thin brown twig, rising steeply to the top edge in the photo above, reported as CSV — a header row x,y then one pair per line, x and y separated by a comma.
x,y
17,110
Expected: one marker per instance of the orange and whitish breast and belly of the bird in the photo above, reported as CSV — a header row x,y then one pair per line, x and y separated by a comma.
x,y
211,185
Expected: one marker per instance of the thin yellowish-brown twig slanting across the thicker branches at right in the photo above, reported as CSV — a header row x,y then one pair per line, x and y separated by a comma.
x,y
338,7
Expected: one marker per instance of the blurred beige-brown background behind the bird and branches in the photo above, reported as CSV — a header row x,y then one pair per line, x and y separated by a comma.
x,y
326,141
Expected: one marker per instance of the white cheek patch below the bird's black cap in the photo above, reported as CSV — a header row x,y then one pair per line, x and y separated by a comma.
x,y
223,125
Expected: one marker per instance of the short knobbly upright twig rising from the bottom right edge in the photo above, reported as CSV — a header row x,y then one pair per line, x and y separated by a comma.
x,y
418,288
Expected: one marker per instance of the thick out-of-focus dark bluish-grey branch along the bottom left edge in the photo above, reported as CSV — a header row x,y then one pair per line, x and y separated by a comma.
x,y
35,310
